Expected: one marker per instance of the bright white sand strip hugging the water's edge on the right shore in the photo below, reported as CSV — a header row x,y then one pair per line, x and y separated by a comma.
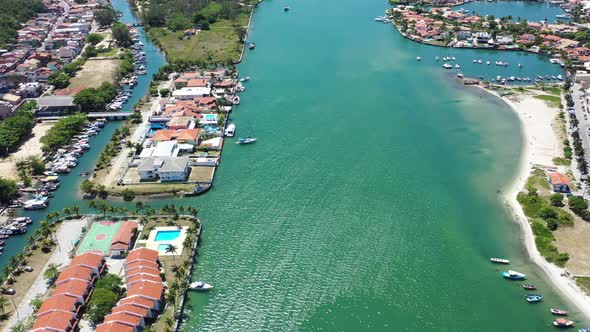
x,y
533,149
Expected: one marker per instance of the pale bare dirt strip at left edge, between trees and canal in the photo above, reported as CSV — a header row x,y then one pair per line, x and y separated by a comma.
x,y
32,147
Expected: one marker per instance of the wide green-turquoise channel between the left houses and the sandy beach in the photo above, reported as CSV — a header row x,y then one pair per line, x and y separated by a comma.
x,y
369,201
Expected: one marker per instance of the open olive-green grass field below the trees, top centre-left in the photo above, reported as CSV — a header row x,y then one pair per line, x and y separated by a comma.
x,y
219,44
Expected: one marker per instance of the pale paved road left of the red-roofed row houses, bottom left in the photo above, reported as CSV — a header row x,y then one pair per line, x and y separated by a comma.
x,y
66,235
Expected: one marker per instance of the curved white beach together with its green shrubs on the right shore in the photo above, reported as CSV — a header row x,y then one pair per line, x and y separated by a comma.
x,y
538,210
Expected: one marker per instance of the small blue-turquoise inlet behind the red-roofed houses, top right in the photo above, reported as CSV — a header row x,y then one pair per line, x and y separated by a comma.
x,y
533,11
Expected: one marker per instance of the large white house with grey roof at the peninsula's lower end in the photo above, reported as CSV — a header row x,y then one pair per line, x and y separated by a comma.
x,y
166,169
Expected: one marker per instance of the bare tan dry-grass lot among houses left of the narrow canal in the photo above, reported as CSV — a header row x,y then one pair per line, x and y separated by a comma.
x,y
94,72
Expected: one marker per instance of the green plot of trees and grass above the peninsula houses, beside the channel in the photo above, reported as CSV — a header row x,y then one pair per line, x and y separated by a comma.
x,y
204,32
